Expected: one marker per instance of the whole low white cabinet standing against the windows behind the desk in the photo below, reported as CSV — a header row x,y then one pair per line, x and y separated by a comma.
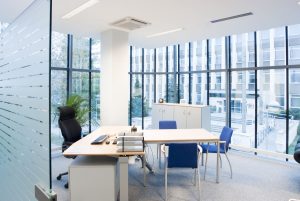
x,y
186,116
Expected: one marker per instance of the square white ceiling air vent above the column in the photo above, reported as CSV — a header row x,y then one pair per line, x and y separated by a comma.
x,y
129,23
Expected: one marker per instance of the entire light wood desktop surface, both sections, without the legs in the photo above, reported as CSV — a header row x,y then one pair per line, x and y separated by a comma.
x,y
84,147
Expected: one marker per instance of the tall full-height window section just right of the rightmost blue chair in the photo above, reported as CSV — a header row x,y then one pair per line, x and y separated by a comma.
x,y
242,103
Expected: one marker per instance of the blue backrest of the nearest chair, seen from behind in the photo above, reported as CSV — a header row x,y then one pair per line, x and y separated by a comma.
x,y
183,155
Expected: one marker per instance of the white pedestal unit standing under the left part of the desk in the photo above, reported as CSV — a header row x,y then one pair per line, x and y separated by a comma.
x,y
94,178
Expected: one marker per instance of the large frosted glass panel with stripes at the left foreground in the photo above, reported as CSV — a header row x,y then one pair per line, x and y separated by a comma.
x,y
24,103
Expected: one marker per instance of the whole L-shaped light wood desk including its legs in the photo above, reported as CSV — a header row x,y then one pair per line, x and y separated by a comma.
x,y
83,147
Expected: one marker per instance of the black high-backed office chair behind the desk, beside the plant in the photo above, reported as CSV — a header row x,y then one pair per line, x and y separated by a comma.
x,y
70,130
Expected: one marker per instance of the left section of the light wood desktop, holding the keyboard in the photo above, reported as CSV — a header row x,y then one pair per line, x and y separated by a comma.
x,y
83,147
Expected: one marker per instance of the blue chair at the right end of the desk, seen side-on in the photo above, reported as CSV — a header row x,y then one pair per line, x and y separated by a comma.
x,y
225,140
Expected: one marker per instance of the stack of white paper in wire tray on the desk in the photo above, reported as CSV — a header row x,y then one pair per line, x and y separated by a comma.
x,y
133,141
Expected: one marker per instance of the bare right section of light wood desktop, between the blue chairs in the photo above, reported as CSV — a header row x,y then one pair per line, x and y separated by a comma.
x,y
178,135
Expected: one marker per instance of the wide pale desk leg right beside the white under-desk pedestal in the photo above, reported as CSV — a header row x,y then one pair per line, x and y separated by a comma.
x,y
123,178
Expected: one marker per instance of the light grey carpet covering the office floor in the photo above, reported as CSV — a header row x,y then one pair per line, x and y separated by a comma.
x,y
254,179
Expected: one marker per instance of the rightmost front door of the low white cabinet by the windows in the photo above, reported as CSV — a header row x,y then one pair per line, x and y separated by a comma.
x,y
193,119
